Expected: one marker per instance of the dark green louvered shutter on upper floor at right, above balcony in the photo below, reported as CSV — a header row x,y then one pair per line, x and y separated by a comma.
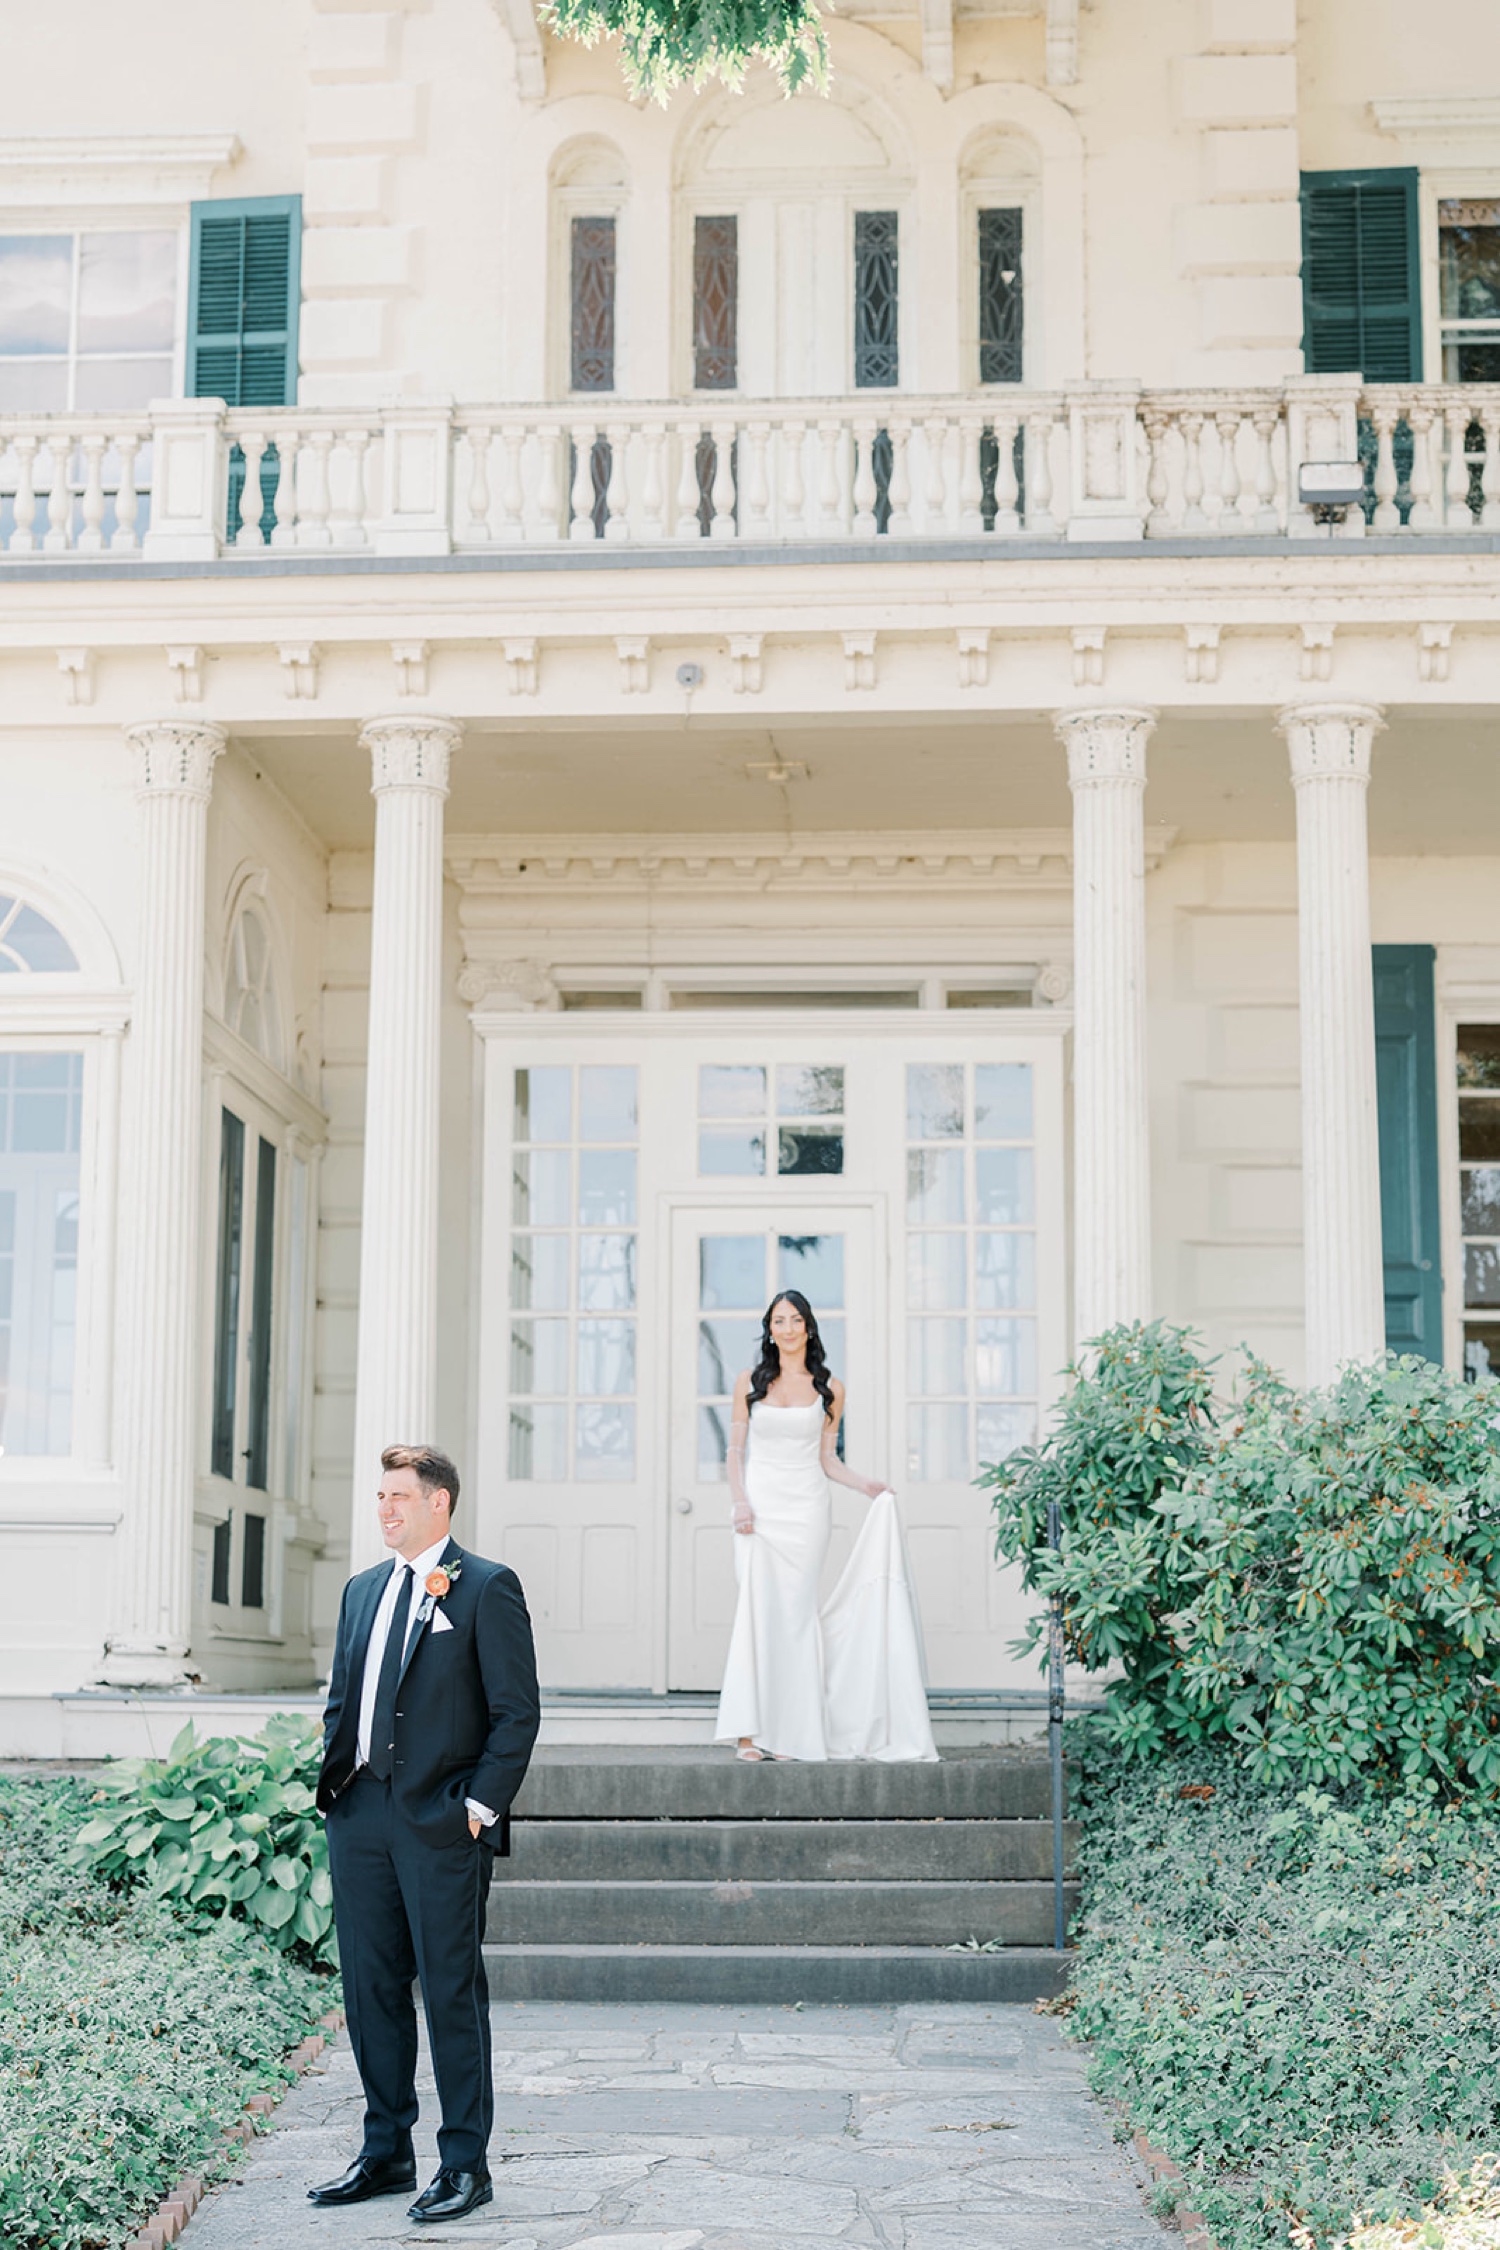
x,y
1362,276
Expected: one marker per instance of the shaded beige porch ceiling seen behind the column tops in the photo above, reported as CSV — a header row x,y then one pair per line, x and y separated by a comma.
x,y
1211,780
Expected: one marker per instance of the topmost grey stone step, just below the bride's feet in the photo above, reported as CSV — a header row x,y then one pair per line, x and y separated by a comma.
x,y
581,1783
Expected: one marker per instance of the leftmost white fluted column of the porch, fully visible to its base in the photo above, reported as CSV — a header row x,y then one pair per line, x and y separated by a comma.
x,y
152,1590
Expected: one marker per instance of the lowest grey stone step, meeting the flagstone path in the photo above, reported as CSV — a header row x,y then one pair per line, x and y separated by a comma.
x,y
826,1977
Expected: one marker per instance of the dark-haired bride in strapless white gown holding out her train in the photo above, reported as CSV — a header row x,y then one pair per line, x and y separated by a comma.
x,y
847,1680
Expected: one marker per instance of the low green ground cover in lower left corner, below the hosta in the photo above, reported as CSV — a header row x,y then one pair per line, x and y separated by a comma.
x,y
127,2042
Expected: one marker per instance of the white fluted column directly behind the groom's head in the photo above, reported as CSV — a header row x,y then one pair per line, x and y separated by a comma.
x,y
399,1232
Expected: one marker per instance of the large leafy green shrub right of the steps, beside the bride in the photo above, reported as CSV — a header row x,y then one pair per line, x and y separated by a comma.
x,y
1310,1576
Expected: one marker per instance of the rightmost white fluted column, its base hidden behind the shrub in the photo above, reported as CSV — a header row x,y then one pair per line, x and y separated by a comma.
x,y
1341,1144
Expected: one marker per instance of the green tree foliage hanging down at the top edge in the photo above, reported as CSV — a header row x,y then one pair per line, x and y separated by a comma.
x,y
667,44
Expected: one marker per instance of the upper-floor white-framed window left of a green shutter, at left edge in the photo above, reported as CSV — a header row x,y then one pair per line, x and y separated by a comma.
x,y
91,318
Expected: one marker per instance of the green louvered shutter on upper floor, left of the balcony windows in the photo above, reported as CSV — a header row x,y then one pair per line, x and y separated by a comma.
x,y
244,300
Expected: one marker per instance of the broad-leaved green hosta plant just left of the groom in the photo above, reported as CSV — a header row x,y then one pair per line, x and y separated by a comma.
x,y
224,1828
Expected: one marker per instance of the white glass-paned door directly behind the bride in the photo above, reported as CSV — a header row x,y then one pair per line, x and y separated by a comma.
x,y
728,1266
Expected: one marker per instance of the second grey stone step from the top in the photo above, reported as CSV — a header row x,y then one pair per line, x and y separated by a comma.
x,y
781,1851
